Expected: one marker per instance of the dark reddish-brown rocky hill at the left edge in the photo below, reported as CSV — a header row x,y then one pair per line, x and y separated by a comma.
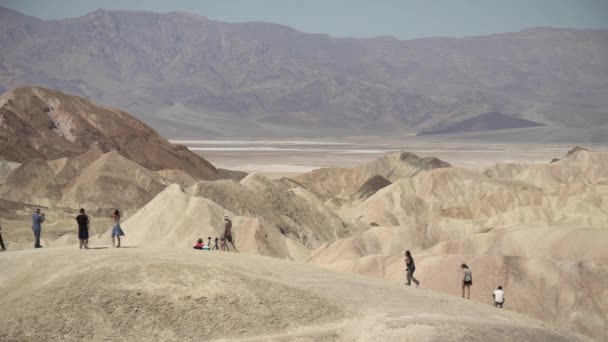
x,y
40,123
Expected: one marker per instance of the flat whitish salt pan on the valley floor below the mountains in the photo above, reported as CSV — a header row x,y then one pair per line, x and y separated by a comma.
x,y
290,157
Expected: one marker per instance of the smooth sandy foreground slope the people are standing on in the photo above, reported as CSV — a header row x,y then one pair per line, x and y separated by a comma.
x,y
156,294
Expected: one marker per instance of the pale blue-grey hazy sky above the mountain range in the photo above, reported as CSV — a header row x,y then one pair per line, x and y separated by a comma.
x,y
359,18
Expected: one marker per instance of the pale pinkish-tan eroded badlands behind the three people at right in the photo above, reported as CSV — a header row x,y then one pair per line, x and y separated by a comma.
x,y
537,230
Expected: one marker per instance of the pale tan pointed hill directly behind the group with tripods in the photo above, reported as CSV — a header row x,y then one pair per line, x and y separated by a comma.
x,y
267,219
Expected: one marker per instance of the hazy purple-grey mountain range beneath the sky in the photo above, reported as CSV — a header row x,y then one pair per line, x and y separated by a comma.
x,y
187,75
